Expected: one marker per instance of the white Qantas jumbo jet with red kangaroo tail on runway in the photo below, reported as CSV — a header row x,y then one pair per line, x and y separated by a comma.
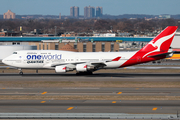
x,y
88,62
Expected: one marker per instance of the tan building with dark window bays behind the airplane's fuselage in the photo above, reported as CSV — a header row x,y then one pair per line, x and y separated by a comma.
x,y
79,46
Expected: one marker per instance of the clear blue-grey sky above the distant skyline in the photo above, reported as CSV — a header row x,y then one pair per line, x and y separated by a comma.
x,y
112,7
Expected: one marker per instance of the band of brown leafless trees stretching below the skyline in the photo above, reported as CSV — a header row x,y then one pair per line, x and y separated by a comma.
x,y
48,26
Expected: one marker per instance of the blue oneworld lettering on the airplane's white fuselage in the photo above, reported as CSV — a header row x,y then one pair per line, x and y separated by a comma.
x,y
47,57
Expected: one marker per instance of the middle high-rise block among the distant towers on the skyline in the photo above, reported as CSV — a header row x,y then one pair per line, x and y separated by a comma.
x,y
89,12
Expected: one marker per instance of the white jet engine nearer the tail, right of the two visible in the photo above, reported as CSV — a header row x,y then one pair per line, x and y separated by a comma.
x,y
84,67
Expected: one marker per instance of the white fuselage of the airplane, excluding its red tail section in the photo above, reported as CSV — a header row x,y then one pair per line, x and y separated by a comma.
x,y
39,59
